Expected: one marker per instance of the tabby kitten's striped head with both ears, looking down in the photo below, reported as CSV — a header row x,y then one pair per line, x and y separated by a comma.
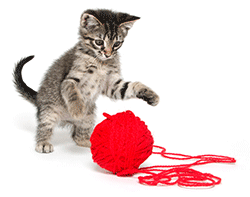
x,y
103,31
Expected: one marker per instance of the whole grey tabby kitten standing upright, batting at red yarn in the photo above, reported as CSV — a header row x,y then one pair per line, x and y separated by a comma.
x,y
72,84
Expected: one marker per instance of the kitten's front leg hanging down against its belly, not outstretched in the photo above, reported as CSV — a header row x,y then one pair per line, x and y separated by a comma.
x,y
71,96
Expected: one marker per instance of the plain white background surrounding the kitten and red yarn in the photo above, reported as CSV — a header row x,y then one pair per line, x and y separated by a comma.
x,y
194,54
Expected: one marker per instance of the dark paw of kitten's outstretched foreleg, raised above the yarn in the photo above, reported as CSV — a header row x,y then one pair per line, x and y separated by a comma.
x,y
149,96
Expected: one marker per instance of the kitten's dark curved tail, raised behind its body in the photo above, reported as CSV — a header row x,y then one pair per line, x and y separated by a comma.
x,y
25,91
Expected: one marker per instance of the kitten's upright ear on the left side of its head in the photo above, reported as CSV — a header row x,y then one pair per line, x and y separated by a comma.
x,y
89,22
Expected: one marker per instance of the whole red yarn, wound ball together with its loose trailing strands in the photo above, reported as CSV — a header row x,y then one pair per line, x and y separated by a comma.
x,y
122,142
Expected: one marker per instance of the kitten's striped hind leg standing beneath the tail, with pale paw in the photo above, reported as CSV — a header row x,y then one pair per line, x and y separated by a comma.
x,y
47,119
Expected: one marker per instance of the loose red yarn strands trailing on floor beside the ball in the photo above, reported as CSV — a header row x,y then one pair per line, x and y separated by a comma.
x,y
182,174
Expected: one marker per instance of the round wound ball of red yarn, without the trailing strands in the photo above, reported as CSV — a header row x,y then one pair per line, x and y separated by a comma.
x,y
121,143
